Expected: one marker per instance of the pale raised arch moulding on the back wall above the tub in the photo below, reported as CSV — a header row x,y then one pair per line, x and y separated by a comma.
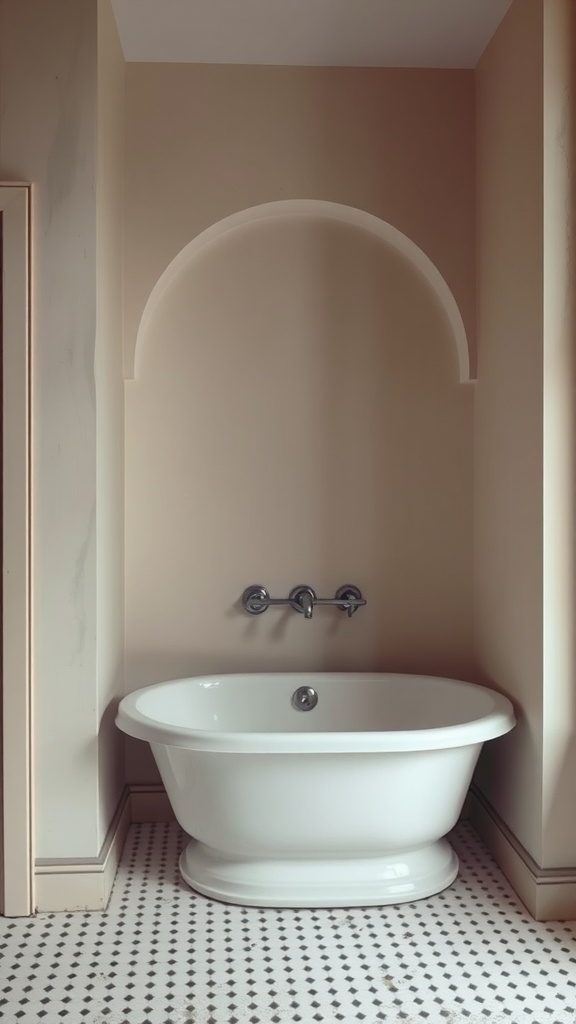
x,y
317,209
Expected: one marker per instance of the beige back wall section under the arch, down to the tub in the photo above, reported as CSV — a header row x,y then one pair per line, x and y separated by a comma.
x,y
298,419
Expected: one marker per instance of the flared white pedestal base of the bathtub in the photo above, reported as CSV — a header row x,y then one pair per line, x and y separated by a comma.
x,y
398,878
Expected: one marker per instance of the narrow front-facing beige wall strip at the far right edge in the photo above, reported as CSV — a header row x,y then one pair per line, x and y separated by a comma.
x,y
559,776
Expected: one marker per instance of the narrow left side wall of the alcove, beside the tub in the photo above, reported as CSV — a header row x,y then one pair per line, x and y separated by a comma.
x,y
110,413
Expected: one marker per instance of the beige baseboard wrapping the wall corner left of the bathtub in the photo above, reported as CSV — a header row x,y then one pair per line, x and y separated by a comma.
x,y
85,884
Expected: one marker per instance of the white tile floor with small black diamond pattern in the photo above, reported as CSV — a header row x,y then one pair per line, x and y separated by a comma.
x,y
161,955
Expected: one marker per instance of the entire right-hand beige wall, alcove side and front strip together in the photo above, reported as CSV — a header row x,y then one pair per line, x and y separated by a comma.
x,y
524,460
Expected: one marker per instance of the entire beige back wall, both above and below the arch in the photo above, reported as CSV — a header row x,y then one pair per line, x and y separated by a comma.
x,y
297,416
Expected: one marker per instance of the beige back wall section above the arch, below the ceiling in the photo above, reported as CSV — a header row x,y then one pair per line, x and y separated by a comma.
x,y
205,142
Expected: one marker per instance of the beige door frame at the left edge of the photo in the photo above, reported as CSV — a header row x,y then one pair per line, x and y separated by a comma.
x,y
17,835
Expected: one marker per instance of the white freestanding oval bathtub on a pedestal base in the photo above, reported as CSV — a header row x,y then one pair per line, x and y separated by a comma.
x,y
342,804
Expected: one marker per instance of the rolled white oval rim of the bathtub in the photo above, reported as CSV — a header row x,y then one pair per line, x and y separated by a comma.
x,y
500,720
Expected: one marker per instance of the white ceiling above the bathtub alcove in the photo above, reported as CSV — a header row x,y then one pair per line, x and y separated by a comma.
x,y
361,33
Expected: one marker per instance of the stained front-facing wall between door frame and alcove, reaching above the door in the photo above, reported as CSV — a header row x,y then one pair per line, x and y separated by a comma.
x,y
49,75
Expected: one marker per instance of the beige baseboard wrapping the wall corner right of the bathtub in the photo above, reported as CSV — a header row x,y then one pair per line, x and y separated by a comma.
x,y
550,894
